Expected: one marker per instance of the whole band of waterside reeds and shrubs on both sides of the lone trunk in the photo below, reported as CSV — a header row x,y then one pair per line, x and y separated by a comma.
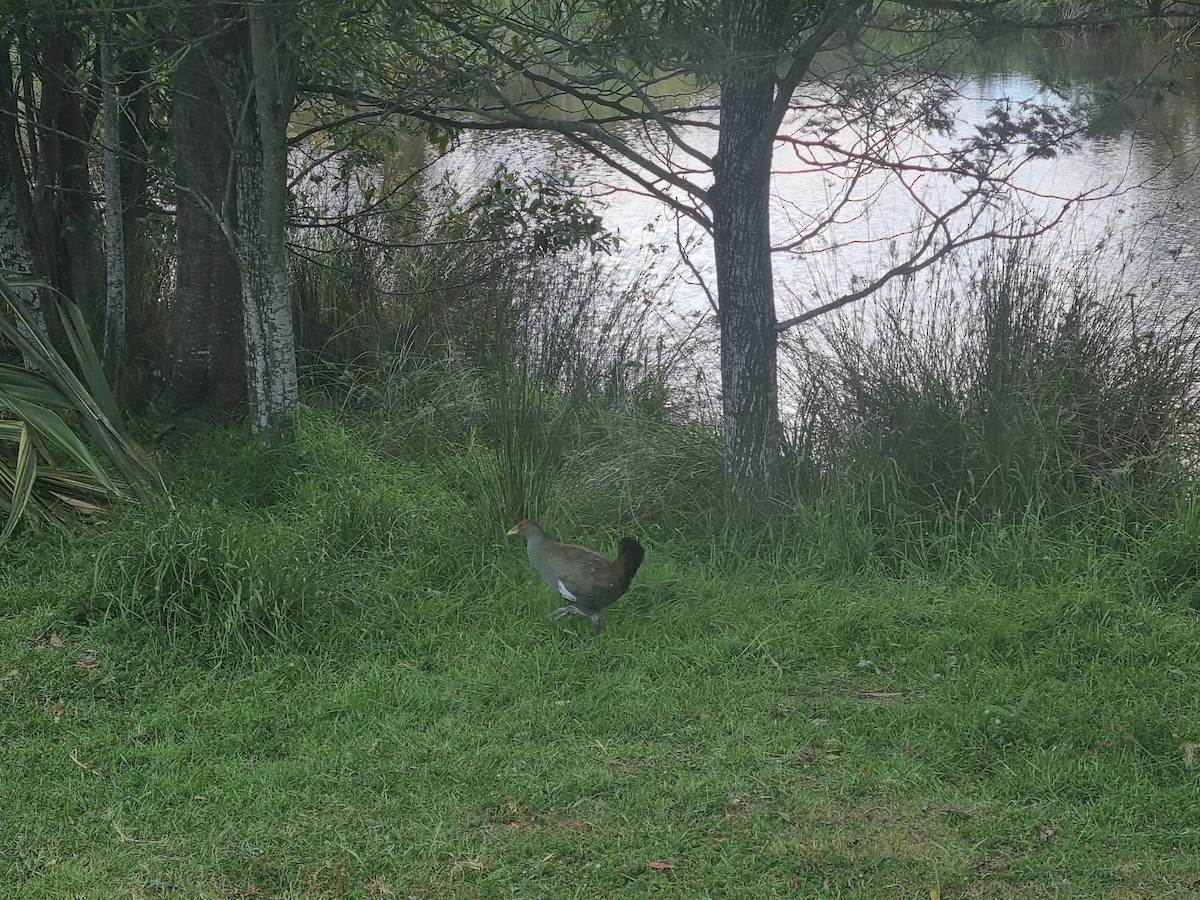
x,y
1003,407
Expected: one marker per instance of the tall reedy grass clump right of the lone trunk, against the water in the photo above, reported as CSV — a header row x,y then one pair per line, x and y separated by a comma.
x,y
1031,399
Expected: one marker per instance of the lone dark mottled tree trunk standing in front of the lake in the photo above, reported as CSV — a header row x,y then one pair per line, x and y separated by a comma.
x,y
741,206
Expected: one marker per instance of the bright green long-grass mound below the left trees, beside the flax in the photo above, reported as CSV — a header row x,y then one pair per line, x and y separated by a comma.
x,y
231,567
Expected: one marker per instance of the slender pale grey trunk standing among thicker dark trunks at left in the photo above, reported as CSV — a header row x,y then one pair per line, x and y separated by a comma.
x,y
115,211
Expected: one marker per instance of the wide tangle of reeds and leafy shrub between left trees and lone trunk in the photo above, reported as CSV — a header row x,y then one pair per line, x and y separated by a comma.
x,y
554,377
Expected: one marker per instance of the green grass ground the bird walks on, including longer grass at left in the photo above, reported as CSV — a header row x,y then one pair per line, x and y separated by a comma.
x,y
765,729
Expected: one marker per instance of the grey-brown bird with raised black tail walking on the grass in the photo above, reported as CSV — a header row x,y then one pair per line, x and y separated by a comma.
x,y
587,580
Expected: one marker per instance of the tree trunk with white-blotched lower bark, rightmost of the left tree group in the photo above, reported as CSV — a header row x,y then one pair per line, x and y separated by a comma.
x,y
262,173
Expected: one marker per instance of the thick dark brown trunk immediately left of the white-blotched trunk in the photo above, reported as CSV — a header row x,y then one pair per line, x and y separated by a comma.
x,y
207,358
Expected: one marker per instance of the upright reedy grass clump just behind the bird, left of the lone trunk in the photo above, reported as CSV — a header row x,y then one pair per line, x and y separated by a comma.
x,y
583,411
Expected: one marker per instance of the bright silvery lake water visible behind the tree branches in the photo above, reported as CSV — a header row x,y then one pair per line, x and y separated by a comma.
x,y
1142,231
